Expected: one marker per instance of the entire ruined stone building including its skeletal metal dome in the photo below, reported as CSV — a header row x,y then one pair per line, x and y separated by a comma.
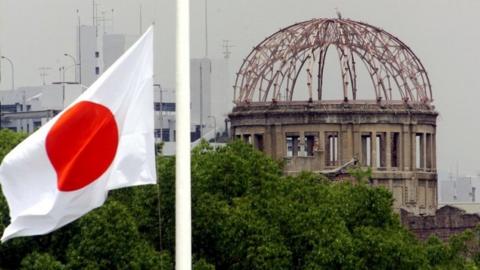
x,y
282,109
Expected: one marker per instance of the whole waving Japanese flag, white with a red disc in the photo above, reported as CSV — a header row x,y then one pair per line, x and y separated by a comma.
x,y
102,141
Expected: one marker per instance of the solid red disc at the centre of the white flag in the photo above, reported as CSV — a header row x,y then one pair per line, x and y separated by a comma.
x,y
82,144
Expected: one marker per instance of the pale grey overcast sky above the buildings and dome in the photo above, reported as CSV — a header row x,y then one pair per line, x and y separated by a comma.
x,y
443,34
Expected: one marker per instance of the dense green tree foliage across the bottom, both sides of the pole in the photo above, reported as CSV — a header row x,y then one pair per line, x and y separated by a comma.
x,y
246,215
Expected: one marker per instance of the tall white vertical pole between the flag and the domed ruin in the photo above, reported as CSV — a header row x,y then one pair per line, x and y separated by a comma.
x,y
183,228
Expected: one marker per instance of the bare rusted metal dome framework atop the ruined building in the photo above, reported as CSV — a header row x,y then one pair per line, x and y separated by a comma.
x,y
272,69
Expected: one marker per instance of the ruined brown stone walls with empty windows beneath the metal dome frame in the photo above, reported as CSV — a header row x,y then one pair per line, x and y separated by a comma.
x,y
396,140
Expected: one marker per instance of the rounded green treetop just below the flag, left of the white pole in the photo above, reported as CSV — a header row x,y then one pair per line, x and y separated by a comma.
x,y
109,239
